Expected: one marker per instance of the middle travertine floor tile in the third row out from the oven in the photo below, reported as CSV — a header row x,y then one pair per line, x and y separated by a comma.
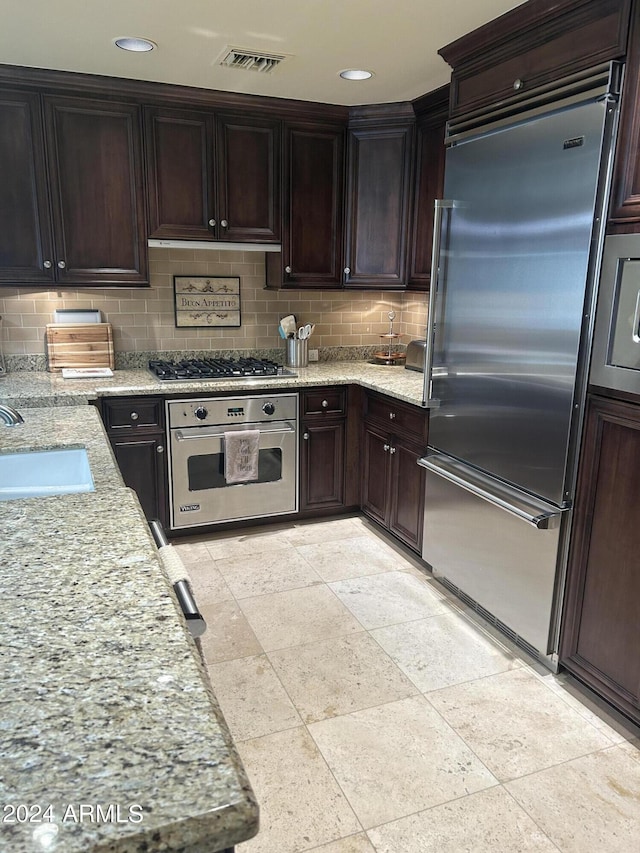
x,y
298,616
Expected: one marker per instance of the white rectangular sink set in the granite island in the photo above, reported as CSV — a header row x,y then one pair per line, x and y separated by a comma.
x,y
40,473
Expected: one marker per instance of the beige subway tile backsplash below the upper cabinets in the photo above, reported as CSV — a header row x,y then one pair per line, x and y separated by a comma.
x,y
143,318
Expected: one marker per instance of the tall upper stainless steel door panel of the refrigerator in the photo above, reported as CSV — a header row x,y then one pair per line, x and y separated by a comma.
x,y
513,271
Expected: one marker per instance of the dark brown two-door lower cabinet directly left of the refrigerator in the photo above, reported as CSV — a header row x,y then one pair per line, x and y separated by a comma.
x,y
394,438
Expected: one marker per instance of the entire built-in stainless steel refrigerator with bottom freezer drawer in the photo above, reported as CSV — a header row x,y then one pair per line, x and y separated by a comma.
x,y
517,248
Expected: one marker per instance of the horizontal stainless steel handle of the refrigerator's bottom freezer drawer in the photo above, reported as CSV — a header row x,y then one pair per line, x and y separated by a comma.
x,y
533,511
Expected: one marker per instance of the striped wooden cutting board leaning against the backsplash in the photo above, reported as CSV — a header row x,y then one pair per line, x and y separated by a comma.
x,y
79,345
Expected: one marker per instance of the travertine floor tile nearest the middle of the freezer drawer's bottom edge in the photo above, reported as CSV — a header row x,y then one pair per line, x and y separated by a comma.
x,y
442,650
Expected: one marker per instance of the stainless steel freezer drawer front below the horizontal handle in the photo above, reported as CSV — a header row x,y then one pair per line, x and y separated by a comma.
x,y
500,561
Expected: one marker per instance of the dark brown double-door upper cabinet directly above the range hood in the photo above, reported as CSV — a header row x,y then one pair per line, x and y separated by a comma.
x,y
213,177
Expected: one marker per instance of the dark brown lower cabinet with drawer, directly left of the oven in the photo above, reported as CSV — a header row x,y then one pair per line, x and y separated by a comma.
x,y
135,426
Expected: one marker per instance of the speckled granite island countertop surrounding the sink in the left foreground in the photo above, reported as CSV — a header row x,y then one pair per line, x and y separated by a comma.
x,y
105,702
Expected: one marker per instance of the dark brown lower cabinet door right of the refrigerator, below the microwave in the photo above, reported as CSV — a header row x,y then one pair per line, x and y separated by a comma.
x,y
601,636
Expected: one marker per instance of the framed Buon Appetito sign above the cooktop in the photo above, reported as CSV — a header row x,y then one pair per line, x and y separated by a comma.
x,y
207,301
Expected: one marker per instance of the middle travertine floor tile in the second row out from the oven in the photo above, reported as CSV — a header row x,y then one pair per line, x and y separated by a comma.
x,y
271,571
